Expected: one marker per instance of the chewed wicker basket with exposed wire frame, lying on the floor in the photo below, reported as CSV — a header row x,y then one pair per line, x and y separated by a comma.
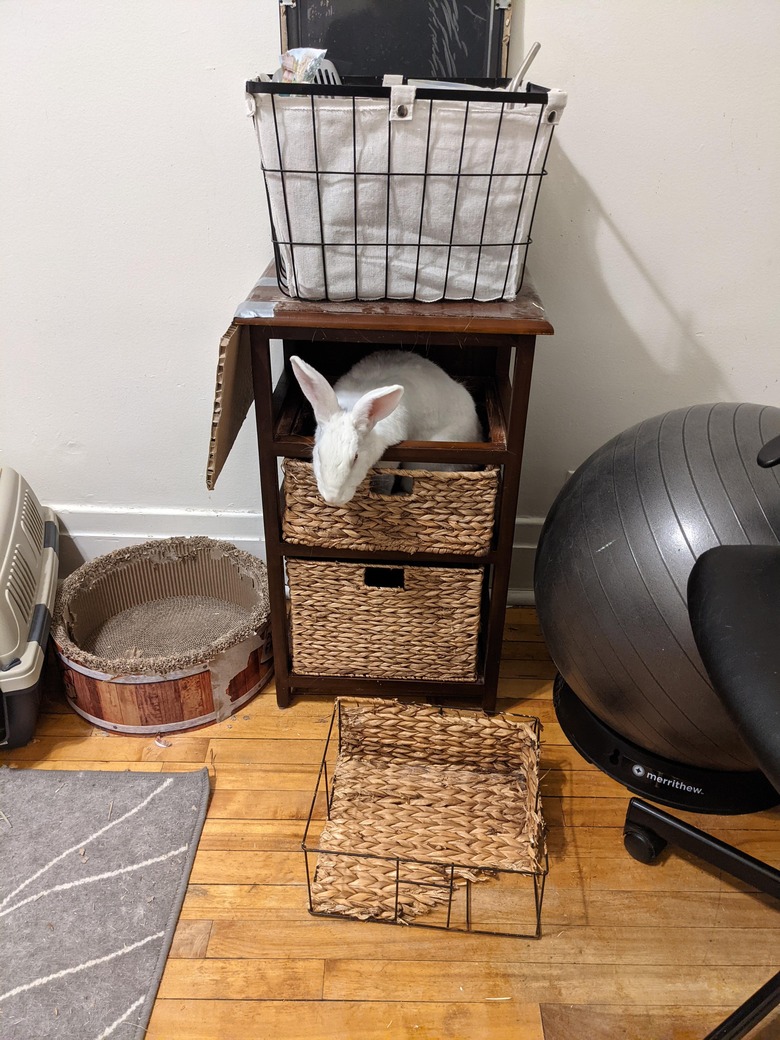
x,y
433,820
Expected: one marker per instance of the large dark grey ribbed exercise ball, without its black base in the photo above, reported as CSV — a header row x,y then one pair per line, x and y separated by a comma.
x,y
613,566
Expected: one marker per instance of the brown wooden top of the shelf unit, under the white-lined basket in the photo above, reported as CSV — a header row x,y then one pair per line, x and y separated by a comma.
x,y
268,306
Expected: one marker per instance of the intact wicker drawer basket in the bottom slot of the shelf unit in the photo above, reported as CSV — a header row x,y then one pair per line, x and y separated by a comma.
x,y
384,622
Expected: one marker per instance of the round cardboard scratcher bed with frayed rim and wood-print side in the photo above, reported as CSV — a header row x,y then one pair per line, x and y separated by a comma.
x,y
165,636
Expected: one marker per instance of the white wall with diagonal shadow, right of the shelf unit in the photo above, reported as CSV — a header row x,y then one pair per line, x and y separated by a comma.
x,y
657,238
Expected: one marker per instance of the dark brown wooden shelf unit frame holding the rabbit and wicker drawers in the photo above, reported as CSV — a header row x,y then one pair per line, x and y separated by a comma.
x,y
489,347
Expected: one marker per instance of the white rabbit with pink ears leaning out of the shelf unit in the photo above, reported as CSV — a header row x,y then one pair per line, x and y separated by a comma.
x,y
386,398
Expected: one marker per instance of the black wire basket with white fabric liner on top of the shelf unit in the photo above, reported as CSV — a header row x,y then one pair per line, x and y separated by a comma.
x,y
402,193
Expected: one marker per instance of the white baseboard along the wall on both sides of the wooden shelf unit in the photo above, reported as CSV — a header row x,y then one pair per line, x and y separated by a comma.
x,y
89,533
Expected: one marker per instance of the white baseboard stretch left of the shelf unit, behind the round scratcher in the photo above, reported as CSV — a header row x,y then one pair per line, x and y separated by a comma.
x,y
87,533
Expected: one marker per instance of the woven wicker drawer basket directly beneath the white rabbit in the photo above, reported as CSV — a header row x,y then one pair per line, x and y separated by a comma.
x,y
441,512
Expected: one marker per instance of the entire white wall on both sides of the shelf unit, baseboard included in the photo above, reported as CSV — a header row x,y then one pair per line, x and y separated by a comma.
x,y
134,220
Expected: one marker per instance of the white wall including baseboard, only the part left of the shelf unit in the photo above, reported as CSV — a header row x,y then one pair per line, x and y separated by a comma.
x,y
134,221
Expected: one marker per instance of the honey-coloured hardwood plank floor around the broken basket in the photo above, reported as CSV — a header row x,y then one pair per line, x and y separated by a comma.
x,y
628,952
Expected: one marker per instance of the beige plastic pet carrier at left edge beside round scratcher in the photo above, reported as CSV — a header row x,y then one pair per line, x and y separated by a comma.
x,y
29,578
